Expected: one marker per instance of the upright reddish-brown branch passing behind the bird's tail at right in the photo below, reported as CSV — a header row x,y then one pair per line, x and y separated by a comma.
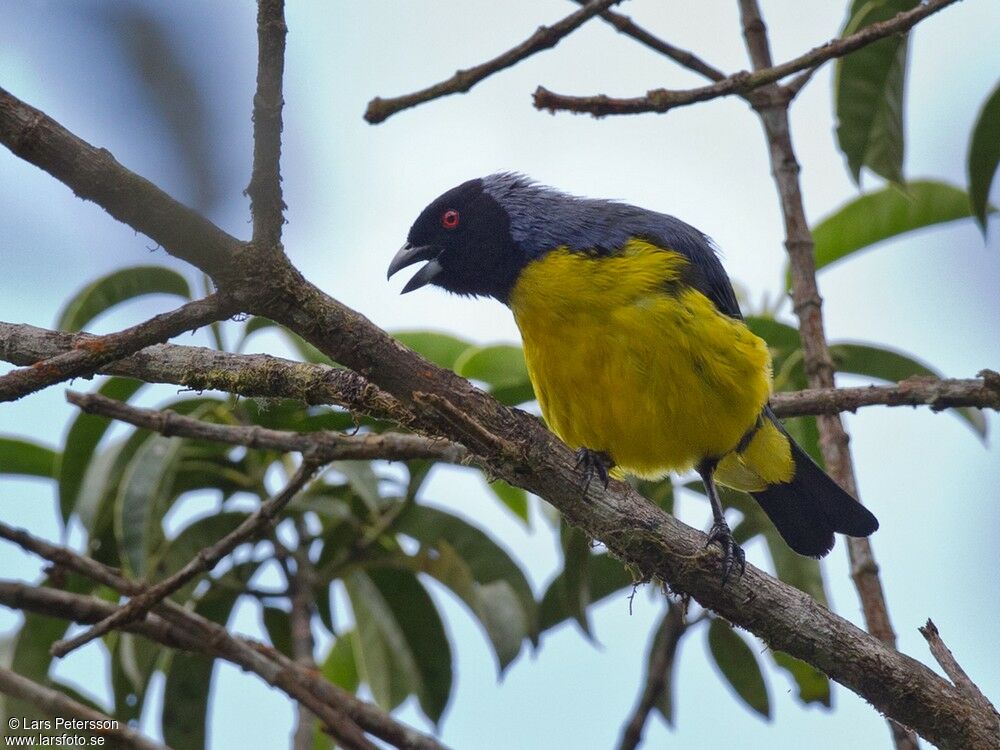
x,y
808,307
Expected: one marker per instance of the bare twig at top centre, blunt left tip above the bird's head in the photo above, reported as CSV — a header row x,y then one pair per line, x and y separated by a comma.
x,y
545,37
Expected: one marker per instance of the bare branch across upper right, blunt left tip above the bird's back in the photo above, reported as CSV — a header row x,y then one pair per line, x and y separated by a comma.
x,y
741,83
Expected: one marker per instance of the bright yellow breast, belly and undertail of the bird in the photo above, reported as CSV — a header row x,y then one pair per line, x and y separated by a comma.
x,y
627,359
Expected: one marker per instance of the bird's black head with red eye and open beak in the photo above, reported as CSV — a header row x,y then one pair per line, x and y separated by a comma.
x,y
465,238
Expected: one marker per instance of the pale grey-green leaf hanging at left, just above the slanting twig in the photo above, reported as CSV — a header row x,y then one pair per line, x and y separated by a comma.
x,y
141,497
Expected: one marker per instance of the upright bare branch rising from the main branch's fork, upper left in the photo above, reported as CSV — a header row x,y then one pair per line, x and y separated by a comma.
x,y
266,204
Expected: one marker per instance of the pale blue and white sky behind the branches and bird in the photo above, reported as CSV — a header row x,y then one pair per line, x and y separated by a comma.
x,y
353,190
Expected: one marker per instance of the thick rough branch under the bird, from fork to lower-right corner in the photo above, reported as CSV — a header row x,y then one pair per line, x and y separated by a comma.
x,y
517,448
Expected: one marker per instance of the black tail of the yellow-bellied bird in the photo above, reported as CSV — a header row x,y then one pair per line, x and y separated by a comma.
x,y
810,507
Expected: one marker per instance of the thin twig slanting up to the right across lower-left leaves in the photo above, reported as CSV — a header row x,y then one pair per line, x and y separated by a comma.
x,y
204,561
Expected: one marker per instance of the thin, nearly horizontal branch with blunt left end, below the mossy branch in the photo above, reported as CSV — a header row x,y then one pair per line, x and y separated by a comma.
x,y
323,446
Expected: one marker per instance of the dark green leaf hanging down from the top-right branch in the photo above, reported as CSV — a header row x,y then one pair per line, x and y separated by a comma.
x,y
869,90
